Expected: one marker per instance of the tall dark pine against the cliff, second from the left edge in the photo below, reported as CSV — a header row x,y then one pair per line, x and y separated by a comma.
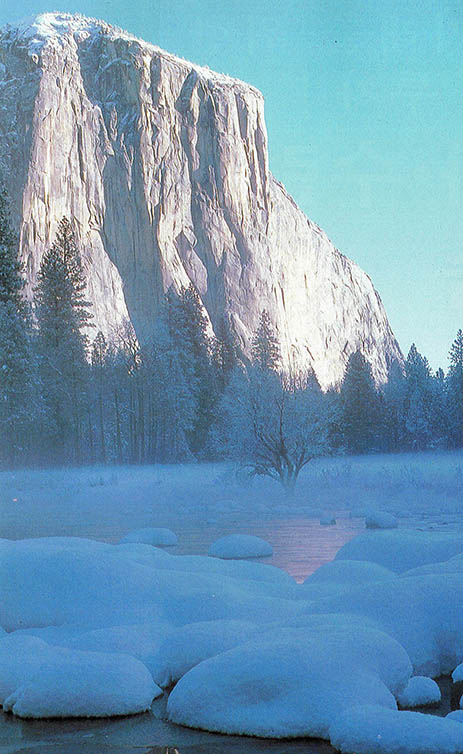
x,y
63,317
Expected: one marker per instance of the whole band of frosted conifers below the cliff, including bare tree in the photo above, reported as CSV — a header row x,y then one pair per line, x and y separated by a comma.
x,y
71,396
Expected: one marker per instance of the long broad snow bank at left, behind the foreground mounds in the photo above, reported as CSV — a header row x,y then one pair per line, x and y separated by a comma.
x,y
93,584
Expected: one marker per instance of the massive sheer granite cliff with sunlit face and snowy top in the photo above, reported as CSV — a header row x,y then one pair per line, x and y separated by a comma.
x,y
164,167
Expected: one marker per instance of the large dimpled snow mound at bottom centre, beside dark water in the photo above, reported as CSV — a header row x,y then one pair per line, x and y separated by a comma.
x,y
290,682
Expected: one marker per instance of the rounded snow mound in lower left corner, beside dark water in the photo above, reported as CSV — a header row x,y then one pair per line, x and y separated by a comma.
x,y
85,684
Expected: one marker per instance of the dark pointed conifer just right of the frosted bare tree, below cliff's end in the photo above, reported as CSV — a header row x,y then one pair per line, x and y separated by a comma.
x,y
360,407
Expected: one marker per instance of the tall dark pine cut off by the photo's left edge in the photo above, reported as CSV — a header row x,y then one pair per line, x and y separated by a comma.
x,y
17,406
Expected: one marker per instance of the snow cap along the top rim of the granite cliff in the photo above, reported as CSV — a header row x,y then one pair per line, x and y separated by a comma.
x,y
49,27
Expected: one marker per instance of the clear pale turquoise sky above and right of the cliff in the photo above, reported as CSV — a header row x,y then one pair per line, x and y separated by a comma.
x,y
364,113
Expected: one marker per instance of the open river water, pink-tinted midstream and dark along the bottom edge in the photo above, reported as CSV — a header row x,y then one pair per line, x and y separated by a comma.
x,y
300,546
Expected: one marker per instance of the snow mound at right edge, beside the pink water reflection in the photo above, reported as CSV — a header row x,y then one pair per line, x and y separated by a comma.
x,y
402,549
